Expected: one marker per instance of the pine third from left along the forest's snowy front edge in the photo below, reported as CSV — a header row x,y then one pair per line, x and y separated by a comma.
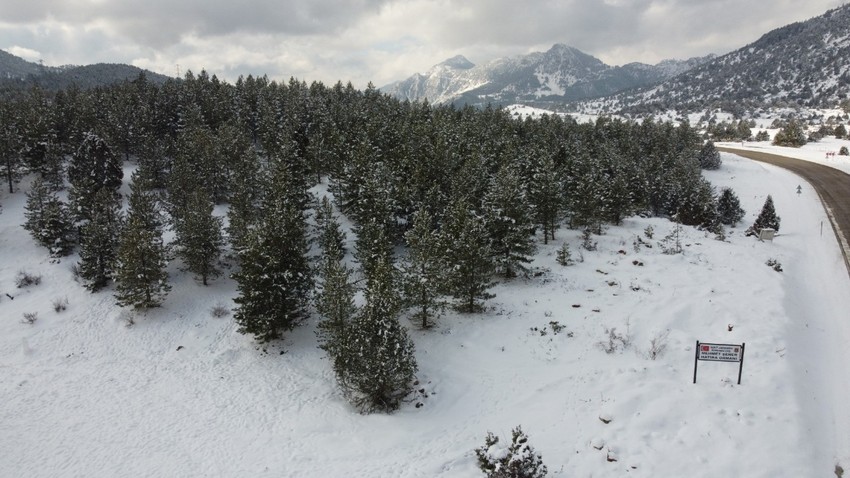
x,y
141,280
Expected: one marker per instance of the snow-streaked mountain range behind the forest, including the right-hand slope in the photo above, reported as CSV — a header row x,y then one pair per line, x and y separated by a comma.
x,y
802,64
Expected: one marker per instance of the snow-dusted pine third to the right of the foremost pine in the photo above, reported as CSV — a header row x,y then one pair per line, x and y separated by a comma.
x,y
509,222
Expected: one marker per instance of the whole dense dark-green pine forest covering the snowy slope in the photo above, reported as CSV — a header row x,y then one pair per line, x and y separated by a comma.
x,y
466,193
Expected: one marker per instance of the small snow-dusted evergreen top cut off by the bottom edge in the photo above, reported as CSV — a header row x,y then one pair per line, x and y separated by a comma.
x,y
518,460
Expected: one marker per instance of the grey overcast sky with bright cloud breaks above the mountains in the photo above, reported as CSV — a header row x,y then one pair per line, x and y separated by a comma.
x,y
376,40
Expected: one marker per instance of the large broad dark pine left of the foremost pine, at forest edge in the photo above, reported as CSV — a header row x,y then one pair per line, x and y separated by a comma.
x,y
275,280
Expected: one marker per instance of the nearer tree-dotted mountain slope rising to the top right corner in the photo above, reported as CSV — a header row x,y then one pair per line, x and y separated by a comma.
x,y
804,64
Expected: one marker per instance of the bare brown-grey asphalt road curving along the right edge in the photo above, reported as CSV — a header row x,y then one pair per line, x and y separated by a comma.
x,y
832,185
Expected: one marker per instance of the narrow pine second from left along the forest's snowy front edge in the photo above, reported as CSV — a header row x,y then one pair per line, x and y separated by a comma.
x,y
99,239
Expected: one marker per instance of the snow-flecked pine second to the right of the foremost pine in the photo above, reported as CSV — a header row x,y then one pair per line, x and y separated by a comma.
x,y
468,259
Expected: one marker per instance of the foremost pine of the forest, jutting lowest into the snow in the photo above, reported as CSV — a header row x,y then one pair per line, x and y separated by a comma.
x,y
378,366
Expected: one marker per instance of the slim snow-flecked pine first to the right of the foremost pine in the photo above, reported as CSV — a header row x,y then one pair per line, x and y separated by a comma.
x,y
423,269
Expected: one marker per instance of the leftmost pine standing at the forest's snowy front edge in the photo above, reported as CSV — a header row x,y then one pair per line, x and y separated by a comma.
x,y
48,220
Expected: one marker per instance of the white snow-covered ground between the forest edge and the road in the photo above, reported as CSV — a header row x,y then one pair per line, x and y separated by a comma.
x,y
181,393
